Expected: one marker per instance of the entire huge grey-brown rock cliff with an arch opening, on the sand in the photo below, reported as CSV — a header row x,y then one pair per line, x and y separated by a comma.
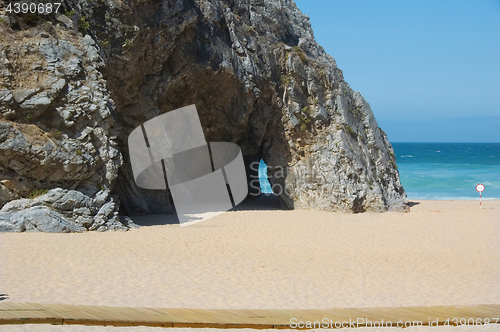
x,y
73,87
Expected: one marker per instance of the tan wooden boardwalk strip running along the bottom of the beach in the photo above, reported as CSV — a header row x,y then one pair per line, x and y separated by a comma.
x,y
57,314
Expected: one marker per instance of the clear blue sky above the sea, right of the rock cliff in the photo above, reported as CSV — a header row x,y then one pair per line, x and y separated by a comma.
x,y
430,69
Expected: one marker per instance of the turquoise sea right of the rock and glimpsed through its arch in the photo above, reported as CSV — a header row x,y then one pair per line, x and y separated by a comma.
x,y
442,171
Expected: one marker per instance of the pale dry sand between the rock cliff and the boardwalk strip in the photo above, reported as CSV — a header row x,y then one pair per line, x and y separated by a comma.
x,y
441,253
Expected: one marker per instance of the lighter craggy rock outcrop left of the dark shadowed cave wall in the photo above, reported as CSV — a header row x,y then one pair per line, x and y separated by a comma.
x,y
57,131
